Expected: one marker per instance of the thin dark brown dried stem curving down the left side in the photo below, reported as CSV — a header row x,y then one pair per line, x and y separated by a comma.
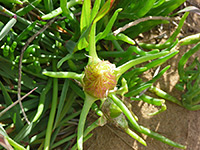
x,y
20,63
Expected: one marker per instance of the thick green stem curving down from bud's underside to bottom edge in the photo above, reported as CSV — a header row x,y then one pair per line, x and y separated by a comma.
x,y
89,100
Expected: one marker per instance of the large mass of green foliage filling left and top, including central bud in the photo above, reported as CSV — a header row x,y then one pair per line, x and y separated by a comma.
x,y
47,39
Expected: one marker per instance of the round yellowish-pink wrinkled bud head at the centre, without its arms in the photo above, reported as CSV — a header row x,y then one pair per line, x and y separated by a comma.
x,y
99,79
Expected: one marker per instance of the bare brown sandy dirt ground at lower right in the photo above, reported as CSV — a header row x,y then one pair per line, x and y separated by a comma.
x,y
176,123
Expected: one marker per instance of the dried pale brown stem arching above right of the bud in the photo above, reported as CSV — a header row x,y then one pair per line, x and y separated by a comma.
x,y
137,22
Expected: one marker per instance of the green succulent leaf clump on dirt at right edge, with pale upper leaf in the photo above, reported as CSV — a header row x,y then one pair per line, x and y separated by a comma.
x,y
189,76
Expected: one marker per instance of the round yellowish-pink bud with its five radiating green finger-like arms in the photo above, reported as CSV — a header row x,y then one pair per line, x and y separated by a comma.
x,y
99,81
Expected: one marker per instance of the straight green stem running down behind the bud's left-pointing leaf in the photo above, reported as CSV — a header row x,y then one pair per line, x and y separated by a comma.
x,y
53,111
